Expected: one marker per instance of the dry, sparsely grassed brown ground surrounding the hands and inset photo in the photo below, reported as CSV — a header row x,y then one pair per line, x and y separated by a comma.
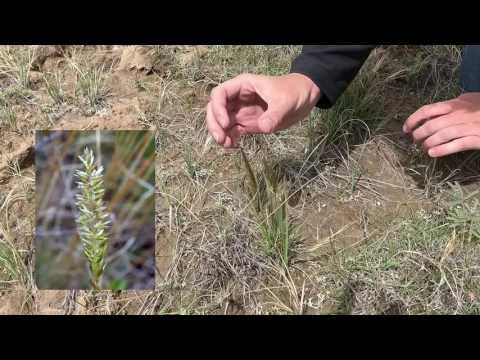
x,y
375,226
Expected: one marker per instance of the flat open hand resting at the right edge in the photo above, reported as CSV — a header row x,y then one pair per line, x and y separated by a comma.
x,y
448,127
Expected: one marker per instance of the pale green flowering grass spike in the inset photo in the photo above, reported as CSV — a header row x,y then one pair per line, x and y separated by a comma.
x,y
92,221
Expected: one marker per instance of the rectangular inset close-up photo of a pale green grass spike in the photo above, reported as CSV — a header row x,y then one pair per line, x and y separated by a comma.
x,y
95,210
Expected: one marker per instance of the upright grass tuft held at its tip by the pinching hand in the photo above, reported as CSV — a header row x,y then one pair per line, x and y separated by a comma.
x,y
269,199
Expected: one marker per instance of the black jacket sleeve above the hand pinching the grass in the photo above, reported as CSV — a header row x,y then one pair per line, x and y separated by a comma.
x,y
331,67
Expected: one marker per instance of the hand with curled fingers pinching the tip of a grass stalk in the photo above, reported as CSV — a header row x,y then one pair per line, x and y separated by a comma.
x,y
258,104
